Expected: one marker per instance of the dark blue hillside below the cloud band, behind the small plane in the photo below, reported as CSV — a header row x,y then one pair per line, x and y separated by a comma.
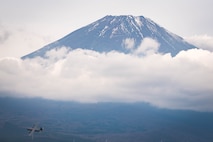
x,y
112,122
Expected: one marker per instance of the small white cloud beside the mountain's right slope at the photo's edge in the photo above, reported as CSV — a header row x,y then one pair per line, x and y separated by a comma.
x,y
202,41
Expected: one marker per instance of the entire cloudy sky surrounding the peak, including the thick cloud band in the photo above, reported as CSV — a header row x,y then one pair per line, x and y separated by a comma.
x,y
180,82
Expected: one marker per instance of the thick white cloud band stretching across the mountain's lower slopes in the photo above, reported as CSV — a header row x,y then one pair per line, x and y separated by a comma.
x,y
180,82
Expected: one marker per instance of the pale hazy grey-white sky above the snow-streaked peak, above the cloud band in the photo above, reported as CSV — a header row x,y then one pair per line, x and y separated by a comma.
x,y
26,25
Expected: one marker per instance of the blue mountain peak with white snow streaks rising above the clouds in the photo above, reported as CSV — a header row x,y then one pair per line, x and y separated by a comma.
x,y
110,32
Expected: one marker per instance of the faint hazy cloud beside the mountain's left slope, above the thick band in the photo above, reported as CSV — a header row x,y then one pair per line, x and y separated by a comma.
x,y
27,41
